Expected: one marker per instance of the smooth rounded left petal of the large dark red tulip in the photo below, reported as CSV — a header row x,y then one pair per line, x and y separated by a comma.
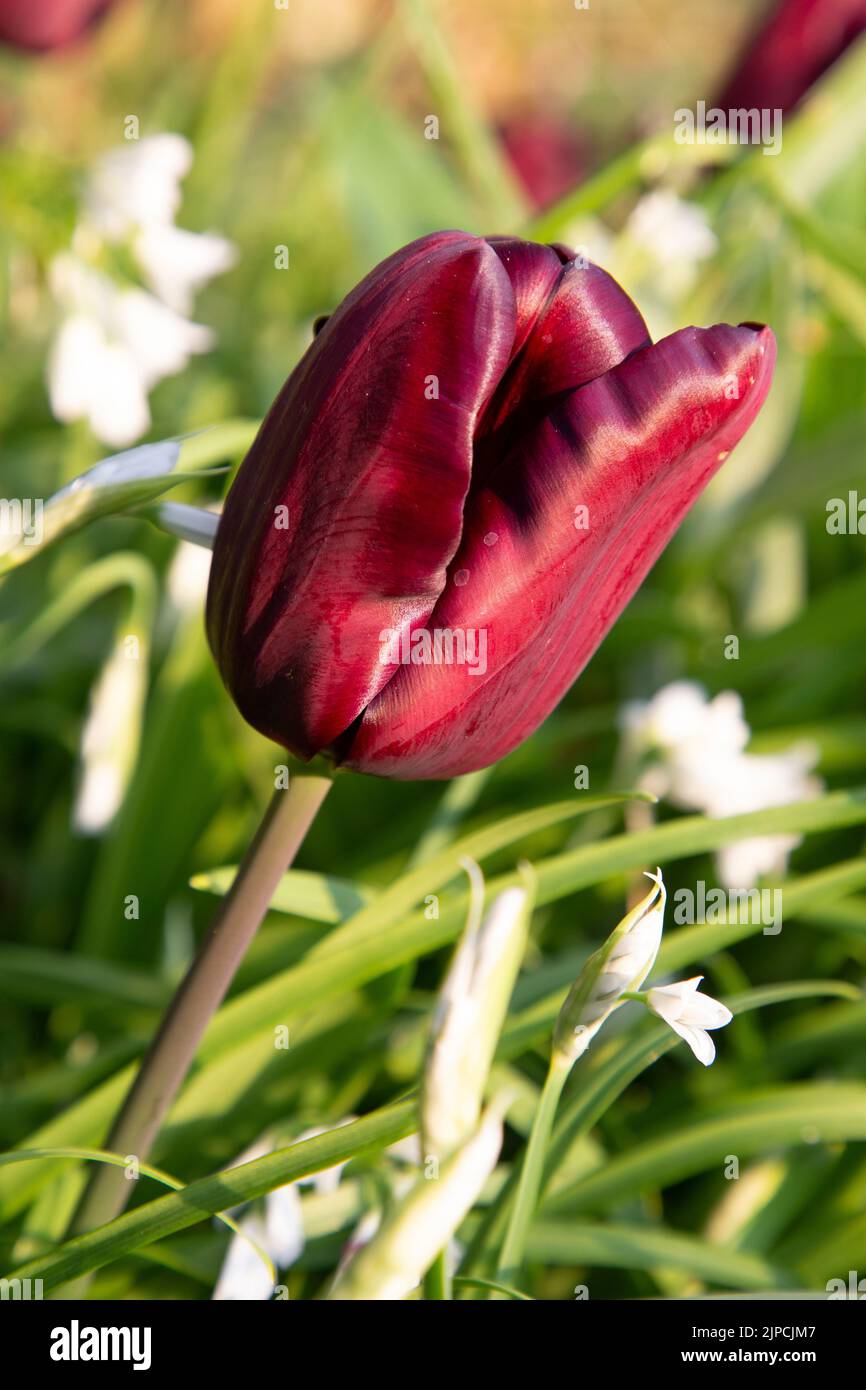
x,y
369,451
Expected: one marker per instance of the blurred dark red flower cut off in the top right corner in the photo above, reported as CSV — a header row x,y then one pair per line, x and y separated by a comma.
x,y
799,42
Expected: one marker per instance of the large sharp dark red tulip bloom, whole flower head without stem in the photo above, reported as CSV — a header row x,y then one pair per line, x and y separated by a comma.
x,y
455,496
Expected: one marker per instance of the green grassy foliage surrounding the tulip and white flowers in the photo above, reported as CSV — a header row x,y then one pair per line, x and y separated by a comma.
x,y
330,159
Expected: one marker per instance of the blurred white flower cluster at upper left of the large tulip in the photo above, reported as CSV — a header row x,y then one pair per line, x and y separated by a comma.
x,y
117,340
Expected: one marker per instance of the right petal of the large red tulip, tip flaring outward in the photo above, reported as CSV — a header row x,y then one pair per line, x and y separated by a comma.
x,y
636,448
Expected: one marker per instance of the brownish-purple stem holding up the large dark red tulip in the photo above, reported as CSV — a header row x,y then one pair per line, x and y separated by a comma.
x,y
168,1061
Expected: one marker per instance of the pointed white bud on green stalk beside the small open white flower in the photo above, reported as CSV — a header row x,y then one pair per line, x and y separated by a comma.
x,y
621,965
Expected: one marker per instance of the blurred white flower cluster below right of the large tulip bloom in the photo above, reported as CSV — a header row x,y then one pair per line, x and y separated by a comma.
x,y
694,749
